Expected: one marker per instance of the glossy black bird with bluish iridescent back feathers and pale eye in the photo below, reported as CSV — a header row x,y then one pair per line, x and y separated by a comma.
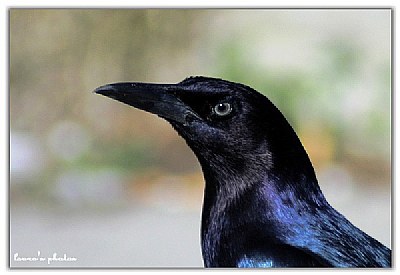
x,y
263,206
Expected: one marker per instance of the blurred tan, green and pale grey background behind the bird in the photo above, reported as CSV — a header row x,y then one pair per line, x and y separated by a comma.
x,y
113,186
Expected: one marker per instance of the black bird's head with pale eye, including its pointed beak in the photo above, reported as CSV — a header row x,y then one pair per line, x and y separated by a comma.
x,y
224,123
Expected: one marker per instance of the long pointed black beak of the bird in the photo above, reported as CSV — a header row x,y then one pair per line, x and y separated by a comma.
x,y
159,99
